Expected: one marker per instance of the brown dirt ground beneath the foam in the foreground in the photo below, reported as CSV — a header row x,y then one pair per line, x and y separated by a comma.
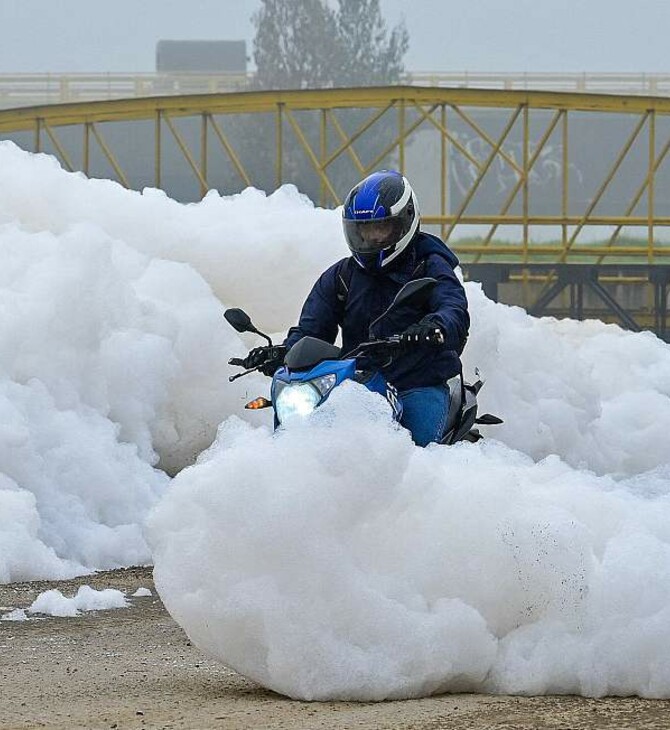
x,y
135,668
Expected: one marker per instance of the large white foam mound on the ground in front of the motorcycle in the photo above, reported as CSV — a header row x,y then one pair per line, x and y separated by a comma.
x,y
337,561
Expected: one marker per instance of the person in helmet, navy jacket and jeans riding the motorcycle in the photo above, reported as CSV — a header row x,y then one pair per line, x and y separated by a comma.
x,y
381,226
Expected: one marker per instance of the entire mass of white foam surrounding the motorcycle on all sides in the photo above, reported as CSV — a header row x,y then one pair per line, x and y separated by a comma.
x,y
333,559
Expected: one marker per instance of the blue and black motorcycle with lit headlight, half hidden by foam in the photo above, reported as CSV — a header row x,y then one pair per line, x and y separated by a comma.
x,y
313,368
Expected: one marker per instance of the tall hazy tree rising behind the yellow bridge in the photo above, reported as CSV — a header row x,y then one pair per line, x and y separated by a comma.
x,y
302,44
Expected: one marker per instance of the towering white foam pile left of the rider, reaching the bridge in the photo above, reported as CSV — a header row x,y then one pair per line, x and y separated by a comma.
x,y
113,352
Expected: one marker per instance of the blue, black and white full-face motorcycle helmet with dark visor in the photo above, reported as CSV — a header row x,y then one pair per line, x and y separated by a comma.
x,y
380,217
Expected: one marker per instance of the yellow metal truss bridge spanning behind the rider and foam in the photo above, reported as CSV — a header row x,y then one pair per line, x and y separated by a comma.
x,y
567,192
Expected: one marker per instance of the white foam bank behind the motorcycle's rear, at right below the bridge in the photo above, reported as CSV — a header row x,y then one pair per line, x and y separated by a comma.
x,y
595,394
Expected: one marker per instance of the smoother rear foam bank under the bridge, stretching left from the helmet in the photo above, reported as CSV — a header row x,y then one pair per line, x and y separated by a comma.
x,y
253,249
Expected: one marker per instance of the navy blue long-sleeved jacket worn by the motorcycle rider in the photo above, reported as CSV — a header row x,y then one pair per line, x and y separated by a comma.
x,y
371,294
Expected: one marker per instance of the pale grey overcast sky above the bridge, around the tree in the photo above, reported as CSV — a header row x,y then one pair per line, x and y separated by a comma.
x,y
474,35
